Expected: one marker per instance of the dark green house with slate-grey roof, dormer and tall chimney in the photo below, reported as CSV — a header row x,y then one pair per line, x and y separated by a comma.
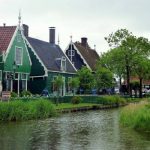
x,y
48,61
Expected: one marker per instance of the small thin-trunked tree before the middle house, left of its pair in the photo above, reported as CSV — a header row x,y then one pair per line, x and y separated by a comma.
x,y
58,83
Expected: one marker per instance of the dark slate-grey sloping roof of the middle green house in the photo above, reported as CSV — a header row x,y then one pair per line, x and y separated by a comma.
x,y
50,55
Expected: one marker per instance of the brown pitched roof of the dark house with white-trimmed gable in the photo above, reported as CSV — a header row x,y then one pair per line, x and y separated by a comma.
x,y
89,55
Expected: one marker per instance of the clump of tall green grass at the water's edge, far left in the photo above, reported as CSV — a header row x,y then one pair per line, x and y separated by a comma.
x,y
20,110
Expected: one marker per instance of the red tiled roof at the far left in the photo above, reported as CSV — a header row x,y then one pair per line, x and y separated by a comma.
x,y
6,34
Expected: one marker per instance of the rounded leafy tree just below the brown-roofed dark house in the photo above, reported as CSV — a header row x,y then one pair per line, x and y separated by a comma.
x,y
86,78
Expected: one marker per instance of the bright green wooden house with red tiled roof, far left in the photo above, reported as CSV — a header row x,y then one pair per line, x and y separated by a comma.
x,y
15,63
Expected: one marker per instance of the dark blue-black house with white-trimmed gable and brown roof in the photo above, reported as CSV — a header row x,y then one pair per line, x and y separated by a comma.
x,y
80,54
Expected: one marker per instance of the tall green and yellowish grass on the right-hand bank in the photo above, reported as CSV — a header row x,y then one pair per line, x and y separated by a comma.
x,y
136,116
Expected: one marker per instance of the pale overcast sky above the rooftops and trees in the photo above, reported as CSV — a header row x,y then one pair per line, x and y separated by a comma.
x,y
94,19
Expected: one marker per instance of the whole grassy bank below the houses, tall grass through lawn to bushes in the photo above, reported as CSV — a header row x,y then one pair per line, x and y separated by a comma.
x,y
27,109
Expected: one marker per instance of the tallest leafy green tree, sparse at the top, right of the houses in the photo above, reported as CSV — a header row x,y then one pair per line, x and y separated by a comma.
x,y
126,55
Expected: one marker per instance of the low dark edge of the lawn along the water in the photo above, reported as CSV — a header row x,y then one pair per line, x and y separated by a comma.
x,y
87,108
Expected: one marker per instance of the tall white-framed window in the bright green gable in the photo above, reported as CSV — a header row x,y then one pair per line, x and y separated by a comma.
x,y
18,56
